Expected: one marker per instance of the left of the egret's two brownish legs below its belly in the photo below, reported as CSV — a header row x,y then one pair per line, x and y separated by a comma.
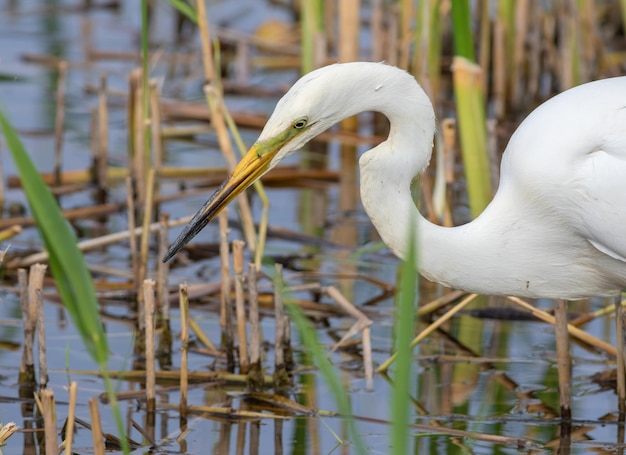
x,y
563,359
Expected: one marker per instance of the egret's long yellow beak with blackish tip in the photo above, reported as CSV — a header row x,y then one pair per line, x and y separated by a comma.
x,y
252,166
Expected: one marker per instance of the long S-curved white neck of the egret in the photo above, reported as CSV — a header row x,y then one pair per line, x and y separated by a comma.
x,y
387,175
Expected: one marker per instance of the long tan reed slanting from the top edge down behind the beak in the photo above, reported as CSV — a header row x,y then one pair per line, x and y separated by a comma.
x,y
214,95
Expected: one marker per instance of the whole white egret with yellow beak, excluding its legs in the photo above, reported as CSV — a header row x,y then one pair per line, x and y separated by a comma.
x,y
556,227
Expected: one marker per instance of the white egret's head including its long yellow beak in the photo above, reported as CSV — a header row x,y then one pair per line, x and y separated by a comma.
x,y
312,105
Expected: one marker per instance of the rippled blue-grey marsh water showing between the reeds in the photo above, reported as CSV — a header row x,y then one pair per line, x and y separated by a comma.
x,y
483,375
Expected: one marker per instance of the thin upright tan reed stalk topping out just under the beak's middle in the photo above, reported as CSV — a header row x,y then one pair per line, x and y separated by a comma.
x,y
226,316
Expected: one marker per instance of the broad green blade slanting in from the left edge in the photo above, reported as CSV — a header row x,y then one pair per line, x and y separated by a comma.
x,y
66,261
